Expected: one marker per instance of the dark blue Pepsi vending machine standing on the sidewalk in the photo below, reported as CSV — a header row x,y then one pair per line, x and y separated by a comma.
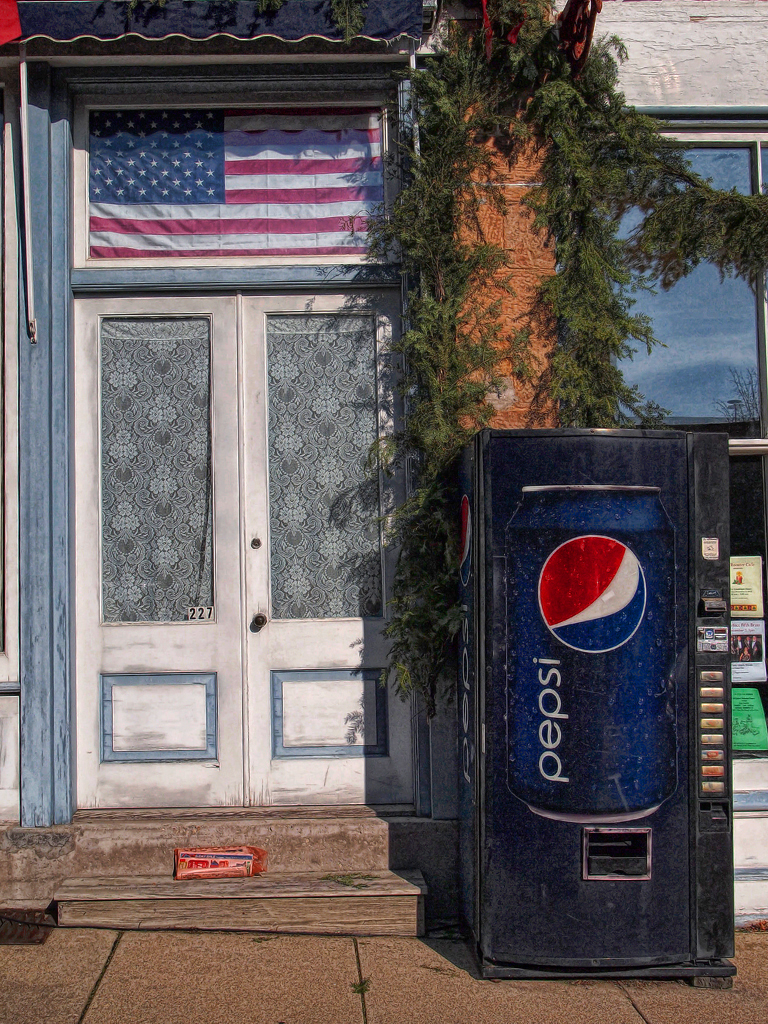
x,y
594,704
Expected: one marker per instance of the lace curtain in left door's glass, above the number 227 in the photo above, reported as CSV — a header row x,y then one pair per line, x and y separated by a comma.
x,y
157,537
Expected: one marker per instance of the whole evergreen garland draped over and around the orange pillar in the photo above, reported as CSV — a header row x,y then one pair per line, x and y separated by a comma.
x,y
601,160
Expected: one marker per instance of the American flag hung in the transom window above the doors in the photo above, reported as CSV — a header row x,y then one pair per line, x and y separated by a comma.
x,y
191,183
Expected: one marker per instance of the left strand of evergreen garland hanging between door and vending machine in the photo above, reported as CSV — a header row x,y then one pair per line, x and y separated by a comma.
x,y
454,351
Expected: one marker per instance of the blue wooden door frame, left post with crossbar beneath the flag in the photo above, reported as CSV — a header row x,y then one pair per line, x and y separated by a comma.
x,y
47,518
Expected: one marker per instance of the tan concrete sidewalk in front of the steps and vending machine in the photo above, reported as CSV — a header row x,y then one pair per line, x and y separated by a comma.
x,y
84,976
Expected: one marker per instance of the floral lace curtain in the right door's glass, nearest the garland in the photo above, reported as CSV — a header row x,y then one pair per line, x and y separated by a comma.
x,y
326,557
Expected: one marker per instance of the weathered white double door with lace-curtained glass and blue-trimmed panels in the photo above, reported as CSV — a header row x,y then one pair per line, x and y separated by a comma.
x,y
230,581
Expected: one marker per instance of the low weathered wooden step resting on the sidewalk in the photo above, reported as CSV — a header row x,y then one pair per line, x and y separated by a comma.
x,y
351,904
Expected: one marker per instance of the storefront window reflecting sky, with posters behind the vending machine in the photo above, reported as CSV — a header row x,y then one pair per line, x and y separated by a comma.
x,y
710,376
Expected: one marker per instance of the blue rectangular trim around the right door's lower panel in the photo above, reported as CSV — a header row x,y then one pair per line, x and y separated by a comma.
x,y
378,750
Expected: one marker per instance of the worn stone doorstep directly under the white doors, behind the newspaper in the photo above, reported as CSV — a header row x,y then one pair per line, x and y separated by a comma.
x,y
34,863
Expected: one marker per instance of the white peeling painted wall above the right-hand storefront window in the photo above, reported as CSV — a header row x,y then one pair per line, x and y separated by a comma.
x,y
692,54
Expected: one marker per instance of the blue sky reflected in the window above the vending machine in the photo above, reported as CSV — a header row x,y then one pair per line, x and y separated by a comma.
x,y
708,326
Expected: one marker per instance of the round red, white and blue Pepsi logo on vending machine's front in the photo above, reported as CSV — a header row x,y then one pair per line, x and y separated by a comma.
x,y
592,594
